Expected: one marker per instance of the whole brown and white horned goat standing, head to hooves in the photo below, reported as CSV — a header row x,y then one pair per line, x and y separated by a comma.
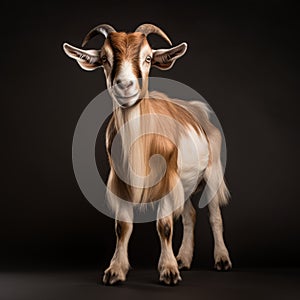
x,y
127,59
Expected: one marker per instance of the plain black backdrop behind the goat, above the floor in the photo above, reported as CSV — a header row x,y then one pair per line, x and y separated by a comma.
x,y
243,57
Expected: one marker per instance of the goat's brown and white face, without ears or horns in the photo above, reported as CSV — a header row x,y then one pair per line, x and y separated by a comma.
x,y
126,59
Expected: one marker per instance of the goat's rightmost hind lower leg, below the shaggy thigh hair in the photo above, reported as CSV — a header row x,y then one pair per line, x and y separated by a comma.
x,y
221,255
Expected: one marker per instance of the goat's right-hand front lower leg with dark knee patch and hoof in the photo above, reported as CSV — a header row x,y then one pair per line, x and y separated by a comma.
x,y
167,266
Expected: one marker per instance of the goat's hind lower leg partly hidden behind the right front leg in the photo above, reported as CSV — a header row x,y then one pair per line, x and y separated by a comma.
x,y
186,250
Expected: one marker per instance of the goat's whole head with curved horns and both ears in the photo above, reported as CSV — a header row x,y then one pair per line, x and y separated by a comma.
x,y
126,59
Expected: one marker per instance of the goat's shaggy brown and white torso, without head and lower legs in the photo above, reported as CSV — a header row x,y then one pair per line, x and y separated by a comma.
x,y
187,160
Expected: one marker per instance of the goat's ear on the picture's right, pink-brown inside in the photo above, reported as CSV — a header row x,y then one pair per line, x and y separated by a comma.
x,y
165,58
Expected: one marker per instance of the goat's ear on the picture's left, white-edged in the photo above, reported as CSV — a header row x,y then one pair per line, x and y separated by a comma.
x,y
88,60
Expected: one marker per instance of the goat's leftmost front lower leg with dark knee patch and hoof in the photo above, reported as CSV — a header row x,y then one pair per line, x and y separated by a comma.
x,y
119,264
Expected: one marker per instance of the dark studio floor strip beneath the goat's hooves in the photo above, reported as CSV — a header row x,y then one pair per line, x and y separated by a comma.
x,y
143,284
